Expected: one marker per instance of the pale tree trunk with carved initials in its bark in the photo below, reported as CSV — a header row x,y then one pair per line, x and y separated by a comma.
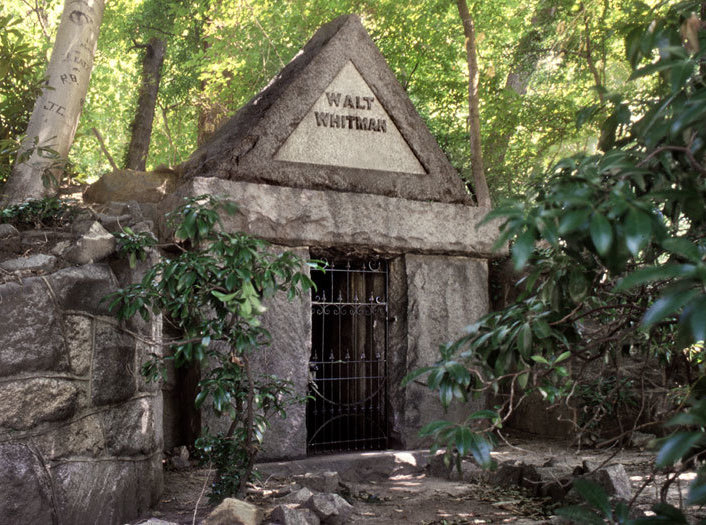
x,y
55,116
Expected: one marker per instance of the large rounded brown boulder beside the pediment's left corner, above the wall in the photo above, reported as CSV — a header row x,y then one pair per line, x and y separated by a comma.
x,y
128,185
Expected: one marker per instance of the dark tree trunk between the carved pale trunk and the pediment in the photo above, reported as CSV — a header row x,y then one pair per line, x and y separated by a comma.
x,y
136,157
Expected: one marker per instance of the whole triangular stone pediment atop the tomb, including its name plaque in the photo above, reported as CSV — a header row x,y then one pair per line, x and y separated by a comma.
x,y
335,118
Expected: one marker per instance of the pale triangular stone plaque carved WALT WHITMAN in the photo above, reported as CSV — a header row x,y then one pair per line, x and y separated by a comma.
x,y
348,127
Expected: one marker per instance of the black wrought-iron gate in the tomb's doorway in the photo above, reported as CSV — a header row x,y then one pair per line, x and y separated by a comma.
x,y
347,409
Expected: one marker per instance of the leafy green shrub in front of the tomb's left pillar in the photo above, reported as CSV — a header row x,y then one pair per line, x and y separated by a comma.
x,y
213,293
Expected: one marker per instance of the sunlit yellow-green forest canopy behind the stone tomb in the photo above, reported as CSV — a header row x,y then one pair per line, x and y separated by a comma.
x,y
540,63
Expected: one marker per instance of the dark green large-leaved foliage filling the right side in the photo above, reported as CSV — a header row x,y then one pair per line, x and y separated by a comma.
x,y
615,264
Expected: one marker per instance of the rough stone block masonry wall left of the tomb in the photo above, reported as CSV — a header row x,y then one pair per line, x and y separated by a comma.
x,y
80,430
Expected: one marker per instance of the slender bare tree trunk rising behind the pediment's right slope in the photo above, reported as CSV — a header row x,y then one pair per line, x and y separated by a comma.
x,y
479,183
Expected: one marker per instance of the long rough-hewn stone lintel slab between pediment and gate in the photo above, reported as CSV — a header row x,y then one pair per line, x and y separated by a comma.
x,y
303,217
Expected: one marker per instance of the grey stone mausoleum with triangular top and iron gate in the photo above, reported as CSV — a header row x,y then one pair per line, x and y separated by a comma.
x,y
332,161
